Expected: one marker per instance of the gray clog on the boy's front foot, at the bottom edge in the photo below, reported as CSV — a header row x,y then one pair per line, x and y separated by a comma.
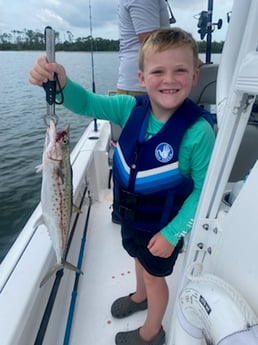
x,y
134,338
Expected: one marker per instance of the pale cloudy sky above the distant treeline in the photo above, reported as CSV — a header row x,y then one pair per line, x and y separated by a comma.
x,y
73,16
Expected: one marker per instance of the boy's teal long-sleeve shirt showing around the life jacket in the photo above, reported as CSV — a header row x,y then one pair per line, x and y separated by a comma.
x,y
194,153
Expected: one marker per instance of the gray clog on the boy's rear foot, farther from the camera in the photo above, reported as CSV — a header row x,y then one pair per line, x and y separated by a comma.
x,y
125,306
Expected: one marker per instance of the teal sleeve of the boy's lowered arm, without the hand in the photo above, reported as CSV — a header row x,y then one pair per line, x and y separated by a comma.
x,y
194,157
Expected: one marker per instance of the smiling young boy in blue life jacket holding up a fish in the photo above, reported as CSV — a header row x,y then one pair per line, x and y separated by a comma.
x,y
159,166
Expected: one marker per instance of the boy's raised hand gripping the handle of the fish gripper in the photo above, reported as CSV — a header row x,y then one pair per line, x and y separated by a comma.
x,y
42,71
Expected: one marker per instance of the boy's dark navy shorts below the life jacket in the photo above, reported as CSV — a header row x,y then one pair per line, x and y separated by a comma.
x,y
135,243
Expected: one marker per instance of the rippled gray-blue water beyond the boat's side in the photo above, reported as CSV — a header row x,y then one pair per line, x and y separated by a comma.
x,y
22,129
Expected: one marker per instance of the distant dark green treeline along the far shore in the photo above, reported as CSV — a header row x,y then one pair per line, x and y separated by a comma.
x,y
34,40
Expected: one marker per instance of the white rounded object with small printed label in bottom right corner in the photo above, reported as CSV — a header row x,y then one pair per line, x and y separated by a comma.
x,y
210,309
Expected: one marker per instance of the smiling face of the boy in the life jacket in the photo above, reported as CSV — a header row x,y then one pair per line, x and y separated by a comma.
x,y
168,77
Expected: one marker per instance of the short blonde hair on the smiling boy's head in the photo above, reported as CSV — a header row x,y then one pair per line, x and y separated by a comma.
x,y
164,39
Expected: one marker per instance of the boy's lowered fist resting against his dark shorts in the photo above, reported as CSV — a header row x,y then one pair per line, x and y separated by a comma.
x,y
159,246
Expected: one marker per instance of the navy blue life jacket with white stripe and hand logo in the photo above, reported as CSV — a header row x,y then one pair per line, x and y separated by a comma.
x,y
149,188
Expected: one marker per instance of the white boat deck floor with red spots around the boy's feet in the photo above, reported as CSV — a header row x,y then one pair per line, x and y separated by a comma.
x,y
108,274
